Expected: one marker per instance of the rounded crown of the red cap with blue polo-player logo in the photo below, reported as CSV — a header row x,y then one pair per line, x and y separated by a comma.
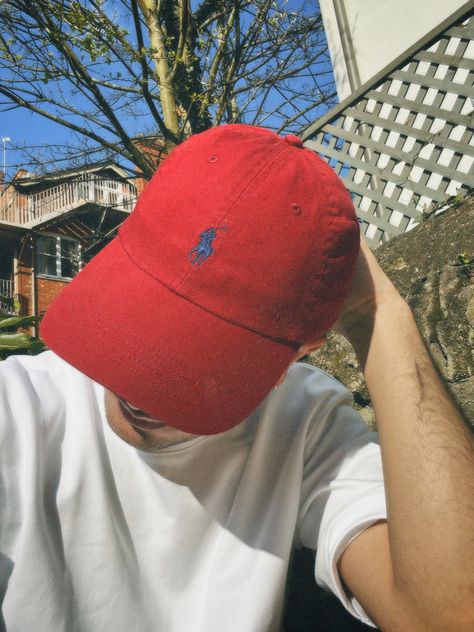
x,y
251,227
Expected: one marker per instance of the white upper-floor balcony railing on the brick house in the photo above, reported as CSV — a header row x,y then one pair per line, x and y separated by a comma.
x,y
29,210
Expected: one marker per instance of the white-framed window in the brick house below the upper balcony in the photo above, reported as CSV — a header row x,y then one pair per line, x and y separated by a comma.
x,y
58,256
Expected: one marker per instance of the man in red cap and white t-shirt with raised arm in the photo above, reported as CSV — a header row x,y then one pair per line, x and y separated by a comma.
x,y
165,491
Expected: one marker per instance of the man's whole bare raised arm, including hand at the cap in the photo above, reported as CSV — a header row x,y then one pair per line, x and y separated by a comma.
x,y
416,571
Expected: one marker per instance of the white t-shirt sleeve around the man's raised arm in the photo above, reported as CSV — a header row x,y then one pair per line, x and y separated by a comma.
x,y
342,492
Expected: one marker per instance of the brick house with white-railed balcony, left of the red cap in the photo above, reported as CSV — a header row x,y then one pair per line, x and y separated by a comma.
x,y
52,225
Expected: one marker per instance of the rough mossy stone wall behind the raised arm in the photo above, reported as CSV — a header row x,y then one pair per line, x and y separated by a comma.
x,y
425,267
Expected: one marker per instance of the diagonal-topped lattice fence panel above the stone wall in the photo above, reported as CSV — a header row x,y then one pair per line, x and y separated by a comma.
x,y
404,143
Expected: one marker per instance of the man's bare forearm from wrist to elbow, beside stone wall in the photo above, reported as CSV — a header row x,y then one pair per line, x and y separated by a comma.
x,y
428,460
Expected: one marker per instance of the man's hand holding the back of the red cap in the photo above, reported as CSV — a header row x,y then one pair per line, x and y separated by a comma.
x,y
370,288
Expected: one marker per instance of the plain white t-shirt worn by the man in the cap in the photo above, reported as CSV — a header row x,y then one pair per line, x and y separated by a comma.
x,y
96,535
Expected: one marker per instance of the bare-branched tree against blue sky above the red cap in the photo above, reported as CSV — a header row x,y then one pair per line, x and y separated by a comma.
x,y
116,71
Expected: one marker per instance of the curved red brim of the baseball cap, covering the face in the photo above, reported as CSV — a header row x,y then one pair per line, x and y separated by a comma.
x,y
173,359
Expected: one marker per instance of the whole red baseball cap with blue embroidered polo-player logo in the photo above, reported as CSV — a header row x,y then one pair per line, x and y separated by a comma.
x,y
241,248
